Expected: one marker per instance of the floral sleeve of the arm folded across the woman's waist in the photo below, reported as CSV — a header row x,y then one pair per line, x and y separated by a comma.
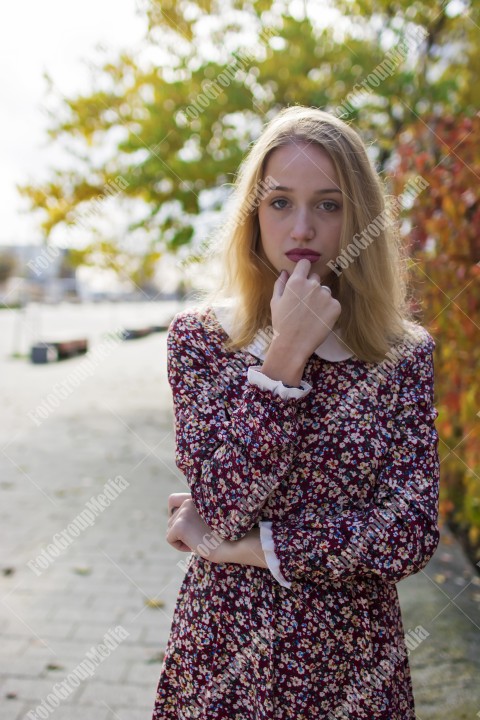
x,y
396,534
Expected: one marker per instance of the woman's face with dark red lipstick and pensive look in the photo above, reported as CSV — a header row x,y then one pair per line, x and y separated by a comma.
x,y
302,215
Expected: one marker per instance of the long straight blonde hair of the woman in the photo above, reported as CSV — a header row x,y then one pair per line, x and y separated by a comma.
x,y
372,289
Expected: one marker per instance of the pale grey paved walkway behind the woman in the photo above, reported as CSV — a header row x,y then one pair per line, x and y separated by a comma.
x,y
84,608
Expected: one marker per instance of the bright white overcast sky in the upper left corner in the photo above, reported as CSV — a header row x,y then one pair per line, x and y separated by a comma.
x,y
53,36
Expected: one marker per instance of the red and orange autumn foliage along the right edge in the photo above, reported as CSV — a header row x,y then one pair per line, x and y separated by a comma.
x,y
444,237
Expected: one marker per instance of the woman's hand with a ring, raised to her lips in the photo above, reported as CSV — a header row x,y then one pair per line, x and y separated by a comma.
x,y
303,313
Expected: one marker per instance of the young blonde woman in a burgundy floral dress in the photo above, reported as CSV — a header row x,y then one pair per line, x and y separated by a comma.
x,y
304,423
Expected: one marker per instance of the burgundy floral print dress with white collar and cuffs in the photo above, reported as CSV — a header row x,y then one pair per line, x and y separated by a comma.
x,y
342,478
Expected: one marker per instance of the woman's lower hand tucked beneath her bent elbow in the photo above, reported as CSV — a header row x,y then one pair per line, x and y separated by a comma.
x,y
186,529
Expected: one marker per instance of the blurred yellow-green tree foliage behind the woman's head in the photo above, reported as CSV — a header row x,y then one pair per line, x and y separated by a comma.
x,y
170,125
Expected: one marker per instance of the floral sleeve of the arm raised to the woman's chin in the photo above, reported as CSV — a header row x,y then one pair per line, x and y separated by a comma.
x,y
233,455
